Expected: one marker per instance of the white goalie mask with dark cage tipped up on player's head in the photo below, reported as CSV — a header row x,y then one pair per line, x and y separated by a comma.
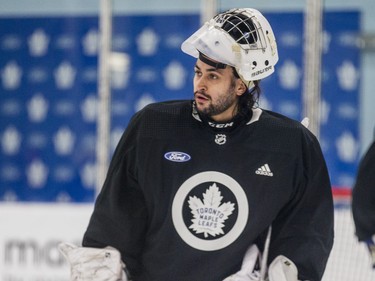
x,y
242,38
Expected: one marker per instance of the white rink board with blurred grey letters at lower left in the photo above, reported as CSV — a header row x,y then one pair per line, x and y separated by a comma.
x,y
29,235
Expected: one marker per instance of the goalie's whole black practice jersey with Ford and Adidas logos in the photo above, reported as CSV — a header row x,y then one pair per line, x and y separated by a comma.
x,y
184,198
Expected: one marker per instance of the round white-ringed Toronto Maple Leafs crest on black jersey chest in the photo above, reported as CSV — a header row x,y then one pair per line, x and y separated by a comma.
x,y
210,211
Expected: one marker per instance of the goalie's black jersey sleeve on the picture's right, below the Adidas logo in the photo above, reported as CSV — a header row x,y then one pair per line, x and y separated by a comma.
x,y
303,230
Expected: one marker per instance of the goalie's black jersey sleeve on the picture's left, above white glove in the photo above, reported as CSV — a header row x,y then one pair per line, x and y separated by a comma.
x,y
120,213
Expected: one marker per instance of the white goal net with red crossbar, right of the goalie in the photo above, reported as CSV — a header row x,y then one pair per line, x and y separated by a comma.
x,y
349,259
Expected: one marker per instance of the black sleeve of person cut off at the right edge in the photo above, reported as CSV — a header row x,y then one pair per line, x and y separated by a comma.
x,y
363,203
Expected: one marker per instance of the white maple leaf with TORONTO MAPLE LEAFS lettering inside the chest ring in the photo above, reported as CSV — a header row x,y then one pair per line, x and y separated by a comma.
x,y
209,215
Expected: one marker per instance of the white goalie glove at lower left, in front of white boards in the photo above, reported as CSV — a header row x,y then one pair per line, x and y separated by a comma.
x,y
93,264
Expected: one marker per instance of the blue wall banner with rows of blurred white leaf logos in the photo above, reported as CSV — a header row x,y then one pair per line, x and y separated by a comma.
x,y
48,92
